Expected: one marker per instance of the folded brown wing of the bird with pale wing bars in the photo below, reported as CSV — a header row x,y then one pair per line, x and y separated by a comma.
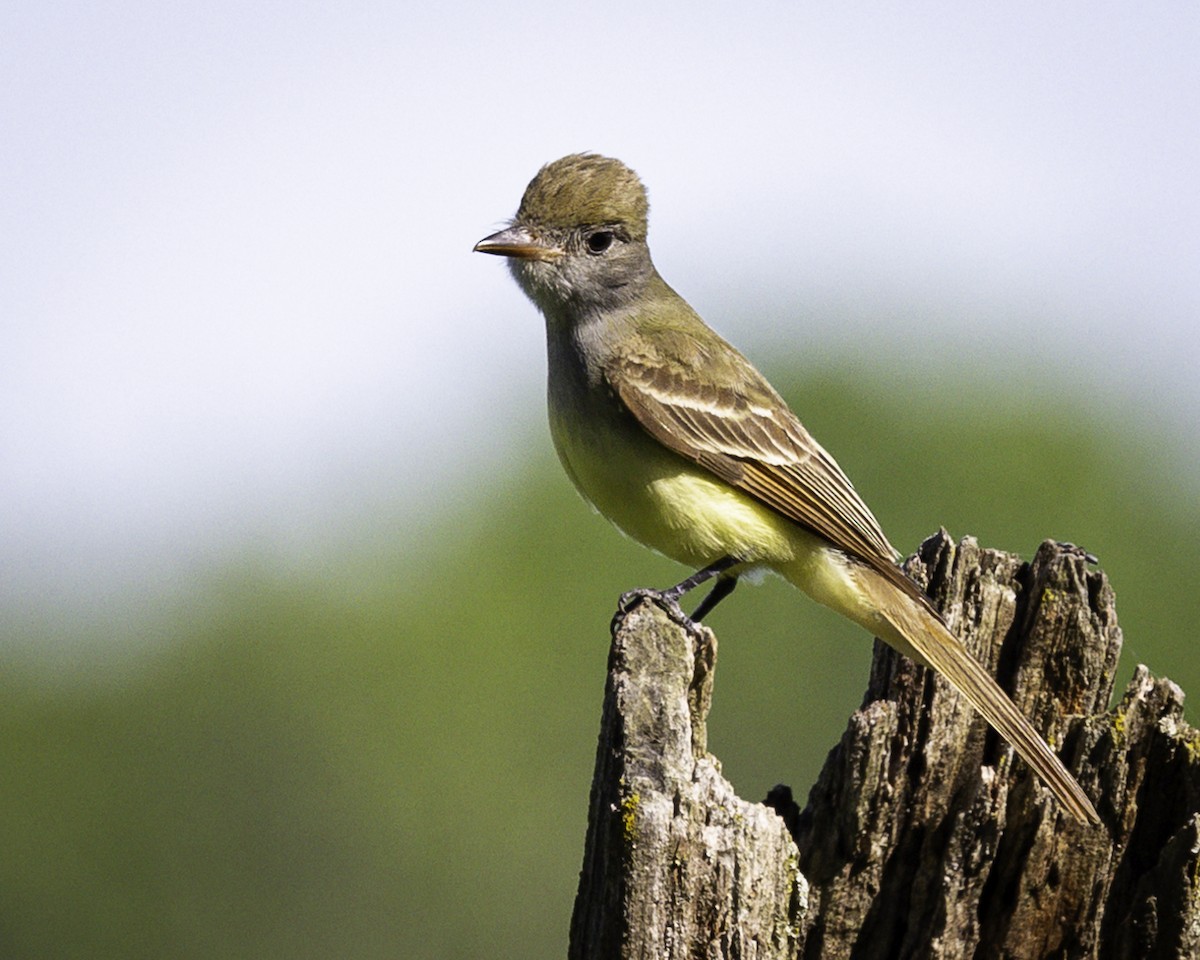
x,y
748,436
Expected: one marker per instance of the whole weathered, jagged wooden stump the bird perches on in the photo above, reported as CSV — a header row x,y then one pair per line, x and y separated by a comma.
x,y
923,837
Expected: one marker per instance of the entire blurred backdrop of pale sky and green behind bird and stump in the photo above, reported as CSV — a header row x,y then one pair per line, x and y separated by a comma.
x,y
304,633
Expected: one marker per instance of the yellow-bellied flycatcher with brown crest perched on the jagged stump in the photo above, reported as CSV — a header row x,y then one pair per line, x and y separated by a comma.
x,y
679,441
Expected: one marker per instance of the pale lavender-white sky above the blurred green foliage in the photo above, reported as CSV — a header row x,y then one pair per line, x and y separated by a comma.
x,y
237,293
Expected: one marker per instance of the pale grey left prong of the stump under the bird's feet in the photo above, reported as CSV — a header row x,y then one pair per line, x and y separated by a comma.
x,y
676,865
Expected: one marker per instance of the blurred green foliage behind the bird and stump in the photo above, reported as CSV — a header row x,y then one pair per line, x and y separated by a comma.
x,y
393,759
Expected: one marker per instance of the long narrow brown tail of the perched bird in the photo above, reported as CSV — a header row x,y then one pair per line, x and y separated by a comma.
x,y
923,635
